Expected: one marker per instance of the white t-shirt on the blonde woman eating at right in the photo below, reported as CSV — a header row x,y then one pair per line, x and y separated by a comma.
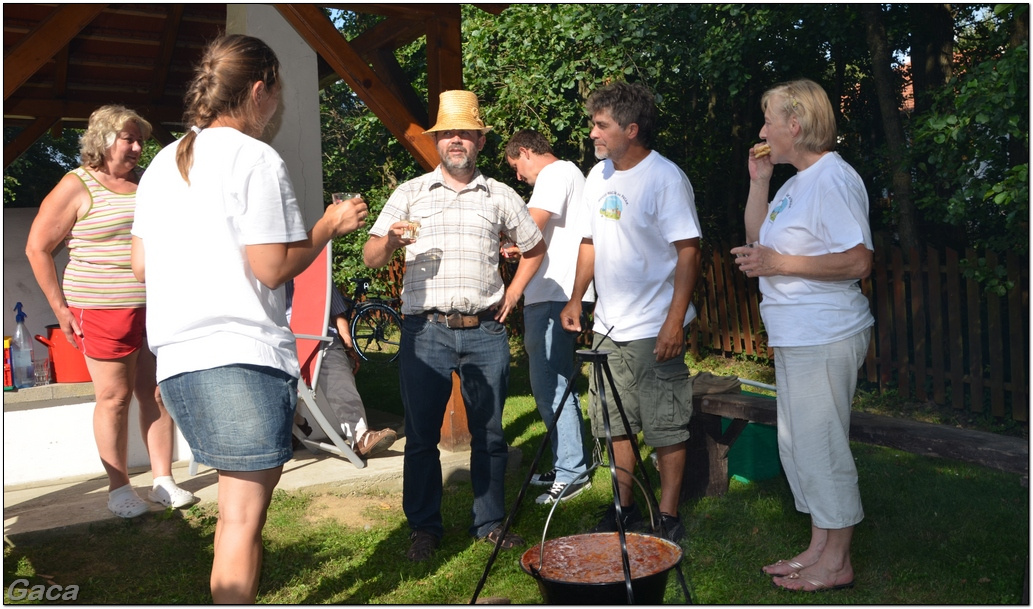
x,y
822,210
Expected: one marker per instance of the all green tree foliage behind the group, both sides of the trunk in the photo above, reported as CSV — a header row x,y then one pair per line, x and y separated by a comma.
x,y
534,67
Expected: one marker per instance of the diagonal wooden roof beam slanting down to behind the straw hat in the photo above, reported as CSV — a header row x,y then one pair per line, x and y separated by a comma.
x,y
314,26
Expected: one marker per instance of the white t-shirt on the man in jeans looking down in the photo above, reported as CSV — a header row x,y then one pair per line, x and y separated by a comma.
x,y
558,189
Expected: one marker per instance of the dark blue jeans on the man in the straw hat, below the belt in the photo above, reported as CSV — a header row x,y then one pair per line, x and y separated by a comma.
x,y
430,354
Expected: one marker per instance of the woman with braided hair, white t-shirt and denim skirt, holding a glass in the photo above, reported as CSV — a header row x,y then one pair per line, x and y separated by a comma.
x,y
218,233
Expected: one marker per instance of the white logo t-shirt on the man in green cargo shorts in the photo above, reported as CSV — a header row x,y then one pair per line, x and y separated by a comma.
x,y
635,217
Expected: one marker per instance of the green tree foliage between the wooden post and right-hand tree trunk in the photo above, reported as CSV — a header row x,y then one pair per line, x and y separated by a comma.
x,y
535,67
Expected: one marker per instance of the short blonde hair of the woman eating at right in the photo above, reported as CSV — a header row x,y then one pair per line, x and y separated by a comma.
x,y
808,102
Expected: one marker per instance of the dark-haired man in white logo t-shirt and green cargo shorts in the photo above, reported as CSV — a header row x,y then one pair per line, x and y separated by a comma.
x,y
641,245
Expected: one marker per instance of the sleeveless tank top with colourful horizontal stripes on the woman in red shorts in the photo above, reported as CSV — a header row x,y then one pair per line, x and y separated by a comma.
x,y
100,275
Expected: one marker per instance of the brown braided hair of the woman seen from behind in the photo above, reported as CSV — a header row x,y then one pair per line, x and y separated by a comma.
x,y
223,87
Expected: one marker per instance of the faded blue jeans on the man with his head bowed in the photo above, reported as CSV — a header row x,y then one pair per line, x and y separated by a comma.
x,y
551,358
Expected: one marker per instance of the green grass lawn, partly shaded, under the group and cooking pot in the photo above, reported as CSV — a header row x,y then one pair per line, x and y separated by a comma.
x,y
936,532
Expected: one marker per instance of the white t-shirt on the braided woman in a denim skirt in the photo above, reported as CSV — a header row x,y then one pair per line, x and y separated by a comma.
x,y
205,307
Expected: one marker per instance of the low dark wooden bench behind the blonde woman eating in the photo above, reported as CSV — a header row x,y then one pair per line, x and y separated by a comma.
x,y
707,461
